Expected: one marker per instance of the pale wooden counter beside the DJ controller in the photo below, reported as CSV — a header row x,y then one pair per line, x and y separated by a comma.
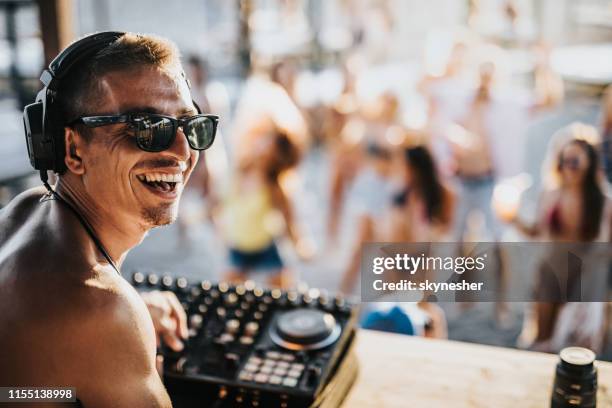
x,y
404,371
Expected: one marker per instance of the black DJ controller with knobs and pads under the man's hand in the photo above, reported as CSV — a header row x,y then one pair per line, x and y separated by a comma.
x,y
255,347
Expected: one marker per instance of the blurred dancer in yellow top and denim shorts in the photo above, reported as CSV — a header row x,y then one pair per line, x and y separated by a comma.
x,y
256,207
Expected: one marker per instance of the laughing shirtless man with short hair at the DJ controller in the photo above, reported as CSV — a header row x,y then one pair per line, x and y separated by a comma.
x,y
67,317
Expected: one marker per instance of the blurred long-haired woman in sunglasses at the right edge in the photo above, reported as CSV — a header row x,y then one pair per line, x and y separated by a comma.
x,y
574,208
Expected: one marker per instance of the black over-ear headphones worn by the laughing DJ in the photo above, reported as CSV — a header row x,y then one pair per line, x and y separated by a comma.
x,y
43,121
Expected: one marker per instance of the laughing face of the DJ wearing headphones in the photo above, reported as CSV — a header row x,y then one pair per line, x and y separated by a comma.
x,y
135,185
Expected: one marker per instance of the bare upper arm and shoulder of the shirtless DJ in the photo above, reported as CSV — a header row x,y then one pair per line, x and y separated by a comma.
x,y
114,355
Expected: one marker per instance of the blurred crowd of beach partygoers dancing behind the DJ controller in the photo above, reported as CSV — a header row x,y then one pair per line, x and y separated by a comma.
x,y
426,155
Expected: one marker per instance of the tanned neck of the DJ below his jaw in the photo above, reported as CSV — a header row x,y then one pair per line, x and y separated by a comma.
x,y
117,236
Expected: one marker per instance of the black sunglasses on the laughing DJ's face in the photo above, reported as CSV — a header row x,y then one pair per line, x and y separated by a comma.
x,y
155,133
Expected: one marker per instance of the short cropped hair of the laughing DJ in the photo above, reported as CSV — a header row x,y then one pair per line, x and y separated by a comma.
x,y
81,88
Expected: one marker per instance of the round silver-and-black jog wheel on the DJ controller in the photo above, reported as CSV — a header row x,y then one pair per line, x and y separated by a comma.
x,y
305,329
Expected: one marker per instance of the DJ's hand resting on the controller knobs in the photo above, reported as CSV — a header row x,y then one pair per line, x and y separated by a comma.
x,y
169,318
